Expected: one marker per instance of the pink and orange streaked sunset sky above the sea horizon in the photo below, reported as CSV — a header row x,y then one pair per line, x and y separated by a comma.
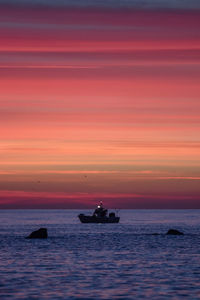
x,y
100,100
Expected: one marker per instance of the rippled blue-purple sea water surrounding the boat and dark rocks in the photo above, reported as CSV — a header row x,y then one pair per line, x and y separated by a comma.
x,y
100,261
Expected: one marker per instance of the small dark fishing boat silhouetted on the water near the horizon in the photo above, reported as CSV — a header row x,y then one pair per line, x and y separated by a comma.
x,y
100,215
